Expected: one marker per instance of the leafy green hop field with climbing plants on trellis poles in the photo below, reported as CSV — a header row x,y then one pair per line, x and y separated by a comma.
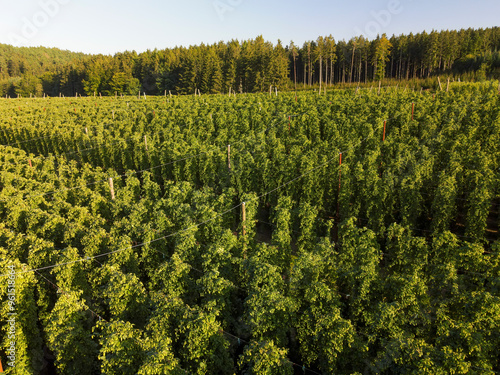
x,y
352,232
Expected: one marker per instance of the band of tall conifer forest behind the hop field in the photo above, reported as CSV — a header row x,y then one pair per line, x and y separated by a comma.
x,y
253,65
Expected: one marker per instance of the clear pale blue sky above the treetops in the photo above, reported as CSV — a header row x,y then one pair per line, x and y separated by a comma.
x,y
109,26
